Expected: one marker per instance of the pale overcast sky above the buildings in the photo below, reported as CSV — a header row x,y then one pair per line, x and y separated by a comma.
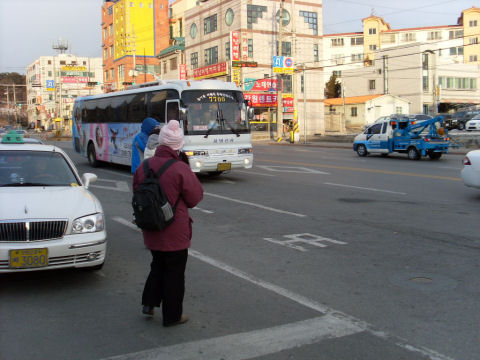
x,y
28,28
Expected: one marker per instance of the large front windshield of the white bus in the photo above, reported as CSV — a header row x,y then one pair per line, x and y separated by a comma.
x,y
215,112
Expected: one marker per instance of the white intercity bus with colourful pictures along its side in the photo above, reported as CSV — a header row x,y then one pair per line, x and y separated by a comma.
x,y
213,114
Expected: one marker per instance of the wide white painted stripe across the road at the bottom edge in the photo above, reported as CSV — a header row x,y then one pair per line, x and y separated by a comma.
x,y
252,344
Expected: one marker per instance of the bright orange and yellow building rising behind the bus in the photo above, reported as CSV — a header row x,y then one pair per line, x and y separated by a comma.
x,y
133,33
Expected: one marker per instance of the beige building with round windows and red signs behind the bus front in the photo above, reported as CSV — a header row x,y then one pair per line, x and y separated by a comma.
x,y
237,41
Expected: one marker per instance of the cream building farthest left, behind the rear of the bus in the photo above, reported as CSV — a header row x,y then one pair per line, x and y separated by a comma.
x,y
53,83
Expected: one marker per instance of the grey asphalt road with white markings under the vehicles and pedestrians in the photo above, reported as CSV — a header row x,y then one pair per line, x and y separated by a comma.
x,y
315,253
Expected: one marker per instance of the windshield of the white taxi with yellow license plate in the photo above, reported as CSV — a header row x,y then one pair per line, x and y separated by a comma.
x,y
35,168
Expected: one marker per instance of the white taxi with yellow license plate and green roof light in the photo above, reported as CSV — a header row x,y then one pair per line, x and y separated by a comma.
x,y
48,218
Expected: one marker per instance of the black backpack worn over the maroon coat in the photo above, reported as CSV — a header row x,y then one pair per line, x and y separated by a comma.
x,y
151,208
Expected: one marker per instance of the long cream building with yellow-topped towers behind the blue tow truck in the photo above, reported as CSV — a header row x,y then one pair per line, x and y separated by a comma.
x,y
450,49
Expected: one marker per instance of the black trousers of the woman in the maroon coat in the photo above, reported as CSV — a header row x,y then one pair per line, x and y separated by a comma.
x,y
166,283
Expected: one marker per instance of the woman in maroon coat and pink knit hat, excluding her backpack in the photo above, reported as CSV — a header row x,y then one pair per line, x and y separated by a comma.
x,y
165,284
